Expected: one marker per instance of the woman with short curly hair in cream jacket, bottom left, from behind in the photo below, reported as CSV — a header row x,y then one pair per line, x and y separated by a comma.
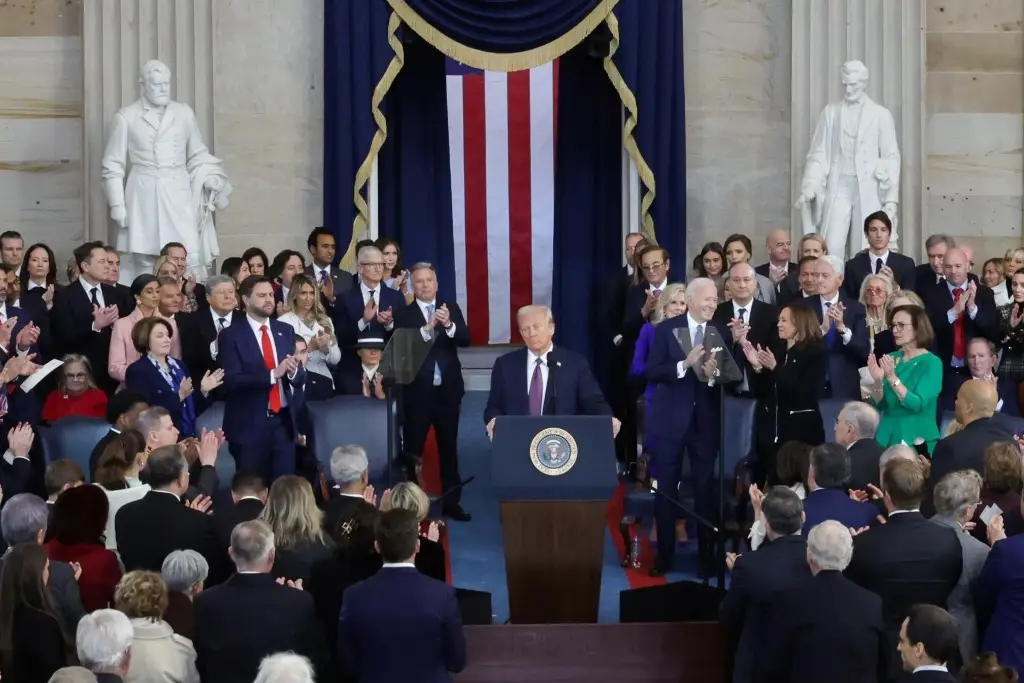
x,y
158,655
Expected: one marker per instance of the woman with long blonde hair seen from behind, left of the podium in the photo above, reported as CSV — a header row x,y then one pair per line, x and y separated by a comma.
x,y
298,528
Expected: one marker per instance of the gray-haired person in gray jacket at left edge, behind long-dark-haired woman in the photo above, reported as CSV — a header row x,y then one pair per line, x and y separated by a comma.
x,y
24,520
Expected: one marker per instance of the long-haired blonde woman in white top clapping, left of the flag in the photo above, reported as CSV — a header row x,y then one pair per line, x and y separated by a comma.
x,y
307,316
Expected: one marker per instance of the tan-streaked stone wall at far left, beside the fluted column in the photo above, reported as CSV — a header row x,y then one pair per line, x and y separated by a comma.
x,y
41,122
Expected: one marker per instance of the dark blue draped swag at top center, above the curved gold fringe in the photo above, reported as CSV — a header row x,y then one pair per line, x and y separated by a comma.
x,y
503,26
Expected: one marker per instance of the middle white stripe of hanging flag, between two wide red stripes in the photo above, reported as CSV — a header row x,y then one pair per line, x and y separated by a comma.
x,y
497,141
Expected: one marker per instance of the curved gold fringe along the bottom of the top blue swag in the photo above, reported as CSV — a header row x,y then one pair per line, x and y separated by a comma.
x,y
507,62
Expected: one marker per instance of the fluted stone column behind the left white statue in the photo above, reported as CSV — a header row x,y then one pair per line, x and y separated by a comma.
x,y
119,36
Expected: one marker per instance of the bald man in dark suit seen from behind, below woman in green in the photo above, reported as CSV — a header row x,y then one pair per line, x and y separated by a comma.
x,y
976,404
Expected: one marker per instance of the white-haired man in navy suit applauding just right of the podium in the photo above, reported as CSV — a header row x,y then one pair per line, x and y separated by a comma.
x,y
688,361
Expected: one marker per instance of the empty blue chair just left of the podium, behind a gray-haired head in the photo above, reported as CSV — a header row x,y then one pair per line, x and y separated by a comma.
x,y
346,420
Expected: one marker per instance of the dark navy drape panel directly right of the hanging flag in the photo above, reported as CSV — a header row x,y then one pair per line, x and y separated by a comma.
x,y
588,196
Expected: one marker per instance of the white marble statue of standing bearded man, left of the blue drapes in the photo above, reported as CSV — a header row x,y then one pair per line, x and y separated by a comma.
x,y
175,184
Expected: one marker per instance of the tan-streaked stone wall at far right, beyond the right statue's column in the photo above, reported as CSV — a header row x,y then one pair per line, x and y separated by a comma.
x,y
975,122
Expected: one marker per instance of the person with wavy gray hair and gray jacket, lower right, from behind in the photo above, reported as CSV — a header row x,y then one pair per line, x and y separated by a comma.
x,y
956,497
